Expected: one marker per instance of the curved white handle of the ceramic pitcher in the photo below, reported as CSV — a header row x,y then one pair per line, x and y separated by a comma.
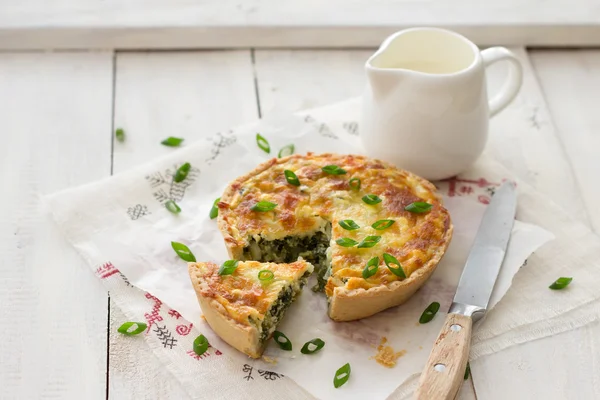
x,y
513,82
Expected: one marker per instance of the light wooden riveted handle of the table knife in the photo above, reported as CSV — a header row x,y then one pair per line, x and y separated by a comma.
x,y
445,369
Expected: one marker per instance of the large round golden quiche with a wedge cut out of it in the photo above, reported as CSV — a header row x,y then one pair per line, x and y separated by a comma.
x,y
374,233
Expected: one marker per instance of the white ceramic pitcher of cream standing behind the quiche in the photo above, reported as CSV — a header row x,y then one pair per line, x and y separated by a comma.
x,y
425,107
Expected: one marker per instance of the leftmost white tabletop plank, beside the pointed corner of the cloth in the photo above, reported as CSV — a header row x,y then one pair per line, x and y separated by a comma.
x,y
56,131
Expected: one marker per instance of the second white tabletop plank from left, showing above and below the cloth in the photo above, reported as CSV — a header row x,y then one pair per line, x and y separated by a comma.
x,y
183,94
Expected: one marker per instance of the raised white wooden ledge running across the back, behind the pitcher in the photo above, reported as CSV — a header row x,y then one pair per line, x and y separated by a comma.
x,y
154,24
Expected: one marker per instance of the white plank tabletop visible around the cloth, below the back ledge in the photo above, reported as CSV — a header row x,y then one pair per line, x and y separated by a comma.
x,y
58,114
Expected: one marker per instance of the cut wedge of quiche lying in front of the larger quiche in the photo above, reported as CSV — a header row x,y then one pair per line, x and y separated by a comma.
x,y
243,308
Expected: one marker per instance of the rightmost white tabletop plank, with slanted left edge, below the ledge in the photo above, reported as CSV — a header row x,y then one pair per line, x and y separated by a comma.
x,y
571,82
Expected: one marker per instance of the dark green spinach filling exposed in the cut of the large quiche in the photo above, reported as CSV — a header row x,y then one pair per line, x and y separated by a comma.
x,y
311,248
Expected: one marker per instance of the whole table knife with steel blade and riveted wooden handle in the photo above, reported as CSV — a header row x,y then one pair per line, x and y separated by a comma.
x,y
445,368
